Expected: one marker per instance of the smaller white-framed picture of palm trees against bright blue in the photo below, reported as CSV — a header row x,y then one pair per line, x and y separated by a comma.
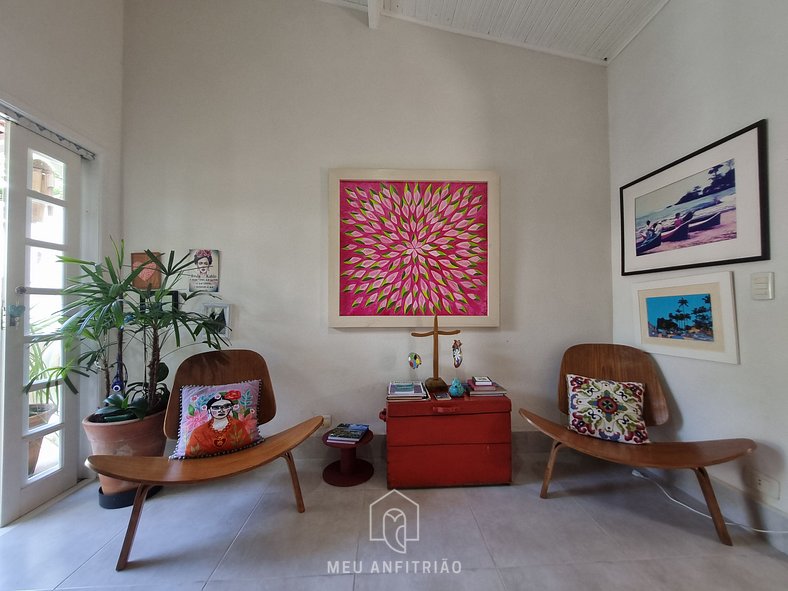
x,y
692,316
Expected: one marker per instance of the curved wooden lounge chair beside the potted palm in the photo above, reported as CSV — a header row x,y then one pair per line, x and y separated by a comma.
x,y
212,368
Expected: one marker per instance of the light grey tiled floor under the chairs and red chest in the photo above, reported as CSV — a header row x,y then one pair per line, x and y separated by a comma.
x,y
600,529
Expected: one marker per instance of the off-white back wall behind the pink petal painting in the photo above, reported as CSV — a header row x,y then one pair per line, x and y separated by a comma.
x,y
235,111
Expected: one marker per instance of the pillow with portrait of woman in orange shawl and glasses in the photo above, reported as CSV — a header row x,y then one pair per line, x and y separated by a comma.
x,y
217,420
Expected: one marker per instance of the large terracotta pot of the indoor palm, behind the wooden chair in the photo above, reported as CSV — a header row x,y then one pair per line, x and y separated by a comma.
x,y
126,438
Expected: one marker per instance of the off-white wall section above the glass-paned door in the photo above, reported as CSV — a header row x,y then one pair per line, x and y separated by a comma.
x,y
62,64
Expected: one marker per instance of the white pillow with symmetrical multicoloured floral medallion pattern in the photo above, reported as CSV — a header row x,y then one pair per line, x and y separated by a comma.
x,y
607,409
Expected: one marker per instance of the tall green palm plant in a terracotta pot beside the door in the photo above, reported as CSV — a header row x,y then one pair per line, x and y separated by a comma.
x,y
112,316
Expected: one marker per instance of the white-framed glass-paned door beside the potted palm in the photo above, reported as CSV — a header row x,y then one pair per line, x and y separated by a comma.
x,y
40,188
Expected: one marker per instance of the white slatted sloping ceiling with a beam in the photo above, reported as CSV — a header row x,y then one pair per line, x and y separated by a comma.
x,y
590,30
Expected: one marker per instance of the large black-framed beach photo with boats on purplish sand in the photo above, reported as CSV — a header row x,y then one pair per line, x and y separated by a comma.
x,y
708,208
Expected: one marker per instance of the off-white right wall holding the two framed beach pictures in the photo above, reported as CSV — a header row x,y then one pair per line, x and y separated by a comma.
x,y
700,71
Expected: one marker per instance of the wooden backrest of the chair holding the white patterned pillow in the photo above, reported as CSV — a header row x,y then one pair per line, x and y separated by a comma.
x,y
620,363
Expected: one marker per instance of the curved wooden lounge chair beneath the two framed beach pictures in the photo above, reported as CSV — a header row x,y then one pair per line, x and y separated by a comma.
x,y
623,363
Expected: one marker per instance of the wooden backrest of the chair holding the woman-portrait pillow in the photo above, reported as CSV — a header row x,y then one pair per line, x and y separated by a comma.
x,y
220,367
